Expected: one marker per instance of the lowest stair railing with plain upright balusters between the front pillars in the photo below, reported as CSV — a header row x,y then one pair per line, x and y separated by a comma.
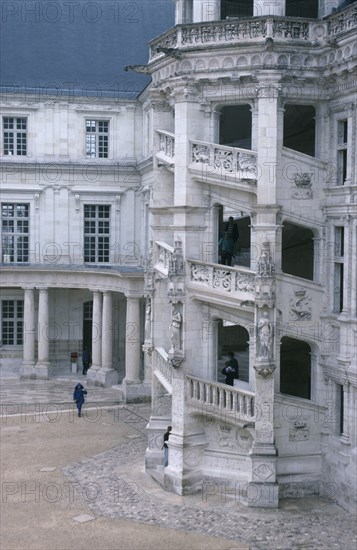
x,y
220,399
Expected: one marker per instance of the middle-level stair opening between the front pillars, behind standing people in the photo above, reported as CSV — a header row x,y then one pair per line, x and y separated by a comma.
x,y
240,234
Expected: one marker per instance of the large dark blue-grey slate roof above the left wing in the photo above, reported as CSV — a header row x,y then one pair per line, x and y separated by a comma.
x,y
81,45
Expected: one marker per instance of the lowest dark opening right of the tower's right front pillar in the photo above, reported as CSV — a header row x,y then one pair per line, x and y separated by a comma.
x,y
295,368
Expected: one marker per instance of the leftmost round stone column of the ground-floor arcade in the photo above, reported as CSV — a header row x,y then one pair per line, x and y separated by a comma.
x,y
27,369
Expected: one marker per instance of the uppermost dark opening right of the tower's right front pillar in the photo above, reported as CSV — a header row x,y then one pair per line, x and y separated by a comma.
x,y
299,128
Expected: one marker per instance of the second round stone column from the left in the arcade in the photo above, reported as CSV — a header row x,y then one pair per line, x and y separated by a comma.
x,y
43,366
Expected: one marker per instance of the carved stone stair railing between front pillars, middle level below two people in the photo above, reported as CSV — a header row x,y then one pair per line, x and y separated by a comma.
x,y
223,278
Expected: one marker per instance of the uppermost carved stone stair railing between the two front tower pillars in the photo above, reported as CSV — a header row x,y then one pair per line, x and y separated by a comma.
x,y
221,158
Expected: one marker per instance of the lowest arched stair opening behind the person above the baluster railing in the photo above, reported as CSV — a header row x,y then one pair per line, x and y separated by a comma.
x,y
233,338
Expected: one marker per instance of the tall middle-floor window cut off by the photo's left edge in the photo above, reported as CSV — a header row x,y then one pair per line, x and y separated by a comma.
x,y
15,232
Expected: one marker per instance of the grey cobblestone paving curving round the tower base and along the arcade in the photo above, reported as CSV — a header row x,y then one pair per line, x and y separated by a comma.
x,y
119,488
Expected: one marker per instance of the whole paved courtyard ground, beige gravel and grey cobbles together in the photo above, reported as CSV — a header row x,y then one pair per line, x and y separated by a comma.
x,y
70,482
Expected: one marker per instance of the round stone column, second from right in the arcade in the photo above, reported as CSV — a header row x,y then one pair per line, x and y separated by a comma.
x,y
107,376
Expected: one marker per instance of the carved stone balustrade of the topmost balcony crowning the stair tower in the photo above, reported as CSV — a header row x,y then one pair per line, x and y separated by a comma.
x,y
242,30
